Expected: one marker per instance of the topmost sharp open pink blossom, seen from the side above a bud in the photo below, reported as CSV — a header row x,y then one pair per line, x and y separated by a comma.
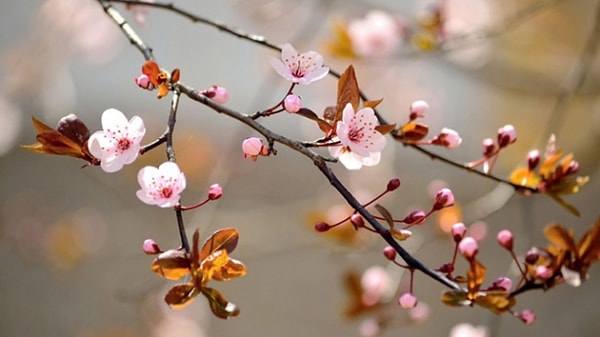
x,y
299,68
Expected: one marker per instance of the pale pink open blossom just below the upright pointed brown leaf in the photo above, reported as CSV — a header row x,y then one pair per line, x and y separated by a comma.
x,y
361,143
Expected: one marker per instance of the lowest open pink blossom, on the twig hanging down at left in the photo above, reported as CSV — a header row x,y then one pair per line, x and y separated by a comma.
x,y
161,186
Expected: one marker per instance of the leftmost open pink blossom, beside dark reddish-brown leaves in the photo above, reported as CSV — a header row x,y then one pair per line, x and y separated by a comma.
x,y
119,142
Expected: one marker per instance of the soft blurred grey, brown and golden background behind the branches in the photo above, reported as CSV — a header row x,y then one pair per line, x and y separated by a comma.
x,y
70,238
